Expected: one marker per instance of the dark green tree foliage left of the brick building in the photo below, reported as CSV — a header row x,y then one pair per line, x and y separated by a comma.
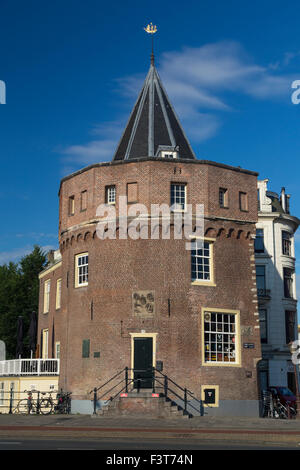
x,y
19,294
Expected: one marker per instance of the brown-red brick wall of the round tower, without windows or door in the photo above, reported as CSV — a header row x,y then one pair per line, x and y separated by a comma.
x,y
102,311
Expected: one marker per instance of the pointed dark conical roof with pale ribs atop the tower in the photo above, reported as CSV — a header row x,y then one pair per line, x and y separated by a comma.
x,y
153,125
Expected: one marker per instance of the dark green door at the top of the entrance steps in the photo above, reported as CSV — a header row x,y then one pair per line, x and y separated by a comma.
x,y
143,357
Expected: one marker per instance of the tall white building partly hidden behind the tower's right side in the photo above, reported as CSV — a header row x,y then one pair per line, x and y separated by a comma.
x,y
276,286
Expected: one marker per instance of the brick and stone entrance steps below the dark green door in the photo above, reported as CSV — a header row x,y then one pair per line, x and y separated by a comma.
x,y
145,404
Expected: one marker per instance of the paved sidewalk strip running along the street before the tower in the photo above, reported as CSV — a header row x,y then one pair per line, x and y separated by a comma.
x,y
203,428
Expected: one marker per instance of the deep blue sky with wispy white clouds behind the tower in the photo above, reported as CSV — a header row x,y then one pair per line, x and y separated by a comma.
x,y
73,70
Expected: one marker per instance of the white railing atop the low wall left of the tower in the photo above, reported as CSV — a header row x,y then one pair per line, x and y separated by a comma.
x,y
29,367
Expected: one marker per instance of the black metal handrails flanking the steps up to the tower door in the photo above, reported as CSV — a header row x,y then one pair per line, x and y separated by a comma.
x,y
163,382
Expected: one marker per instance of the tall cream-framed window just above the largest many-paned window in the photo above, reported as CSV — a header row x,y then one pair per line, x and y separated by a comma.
x,y
202,261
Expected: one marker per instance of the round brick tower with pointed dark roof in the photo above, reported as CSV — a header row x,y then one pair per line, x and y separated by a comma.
x,y
110,303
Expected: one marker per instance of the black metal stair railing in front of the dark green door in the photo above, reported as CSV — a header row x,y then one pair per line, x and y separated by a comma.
x,y
161,384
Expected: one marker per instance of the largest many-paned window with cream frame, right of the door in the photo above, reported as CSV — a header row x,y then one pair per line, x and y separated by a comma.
x,y
221,336
